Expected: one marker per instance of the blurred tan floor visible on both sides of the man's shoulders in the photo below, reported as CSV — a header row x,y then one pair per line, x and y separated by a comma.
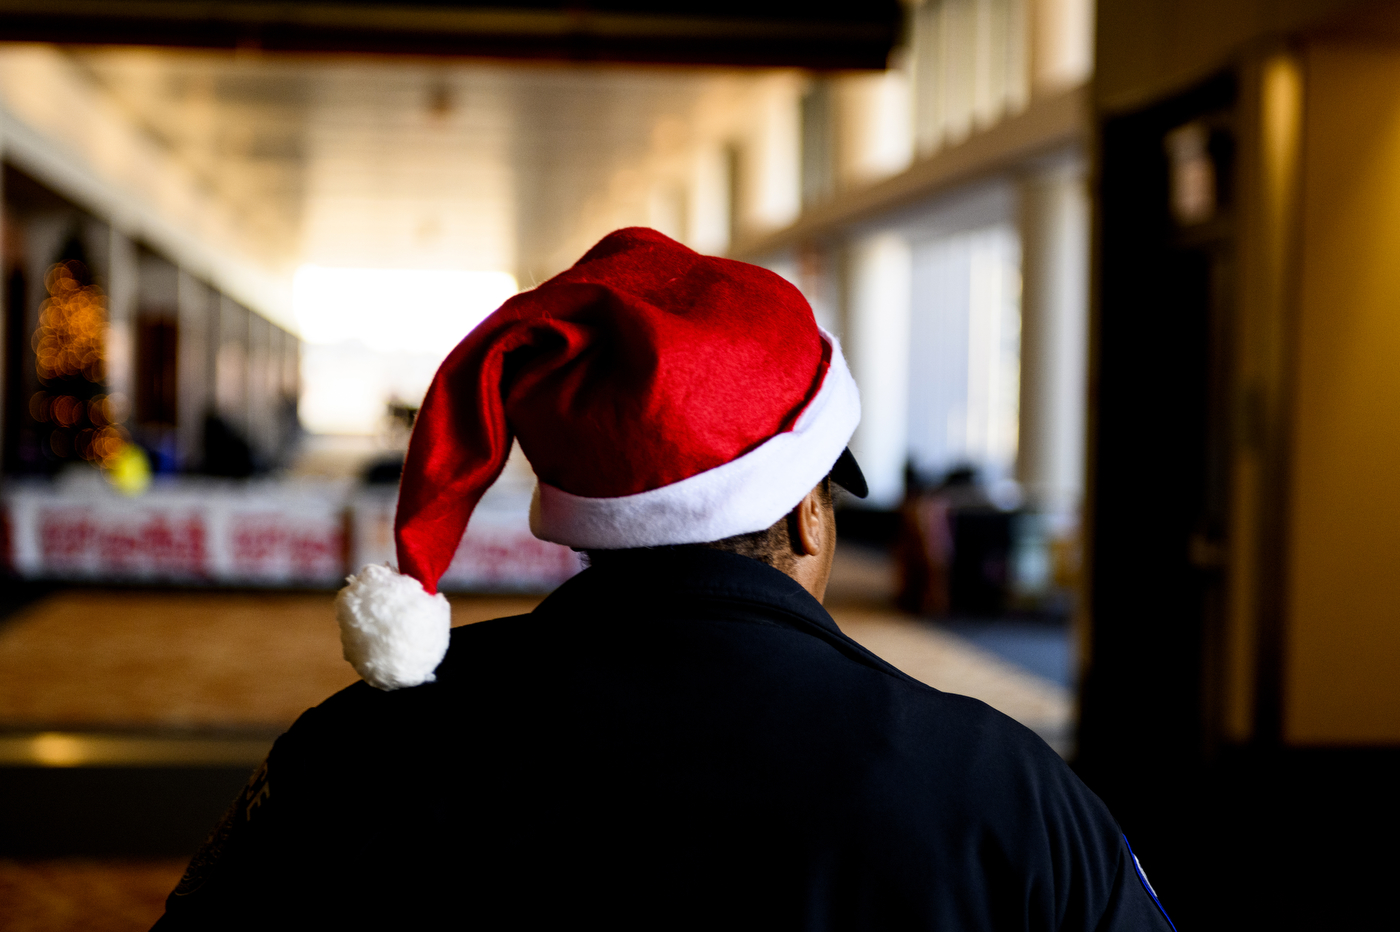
x,y
114,660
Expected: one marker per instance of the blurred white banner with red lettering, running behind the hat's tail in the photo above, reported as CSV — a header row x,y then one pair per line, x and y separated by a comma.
x,y
258,534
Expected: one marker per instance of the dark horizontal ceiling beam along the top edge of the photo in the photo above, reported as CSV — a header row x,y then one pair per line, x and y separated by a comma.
x,y
764,33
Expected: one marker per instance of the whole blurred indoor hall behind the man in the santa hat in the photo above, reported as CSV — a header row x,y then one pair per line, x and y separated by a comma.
x,y
1121,286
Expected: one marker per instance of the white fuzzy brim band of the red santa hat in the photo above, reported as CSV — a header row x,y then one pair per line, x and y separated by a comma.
x,y
745,495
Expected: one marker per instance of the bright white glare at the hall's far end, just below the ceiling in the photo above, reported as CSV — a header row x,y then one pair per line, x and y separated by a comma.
x,y
395,310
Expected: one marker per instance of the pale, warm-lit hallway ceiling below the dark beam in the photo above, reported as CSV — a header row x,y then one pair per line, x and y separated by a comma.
x,y
401,163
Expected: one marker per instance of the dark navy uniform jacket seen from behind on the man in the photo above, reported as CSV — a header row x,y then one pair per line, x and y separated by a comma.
x,y
675,740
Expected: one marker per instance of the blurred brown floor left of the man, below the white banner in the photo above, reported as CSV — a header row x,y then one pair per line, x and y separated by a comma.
x,y
89,658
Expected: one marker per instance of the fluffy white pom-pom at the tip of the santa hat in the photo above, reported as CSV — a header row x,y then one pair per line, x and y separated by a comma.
x,y
394,633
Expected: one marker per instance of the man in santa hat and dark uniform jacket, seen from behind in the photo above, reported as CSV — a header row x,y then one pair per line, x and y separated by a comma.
x,y
680,737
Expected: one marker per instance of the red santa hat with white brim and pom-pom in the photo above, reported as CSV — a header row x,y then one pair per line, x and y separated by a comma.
x,y
661,397
